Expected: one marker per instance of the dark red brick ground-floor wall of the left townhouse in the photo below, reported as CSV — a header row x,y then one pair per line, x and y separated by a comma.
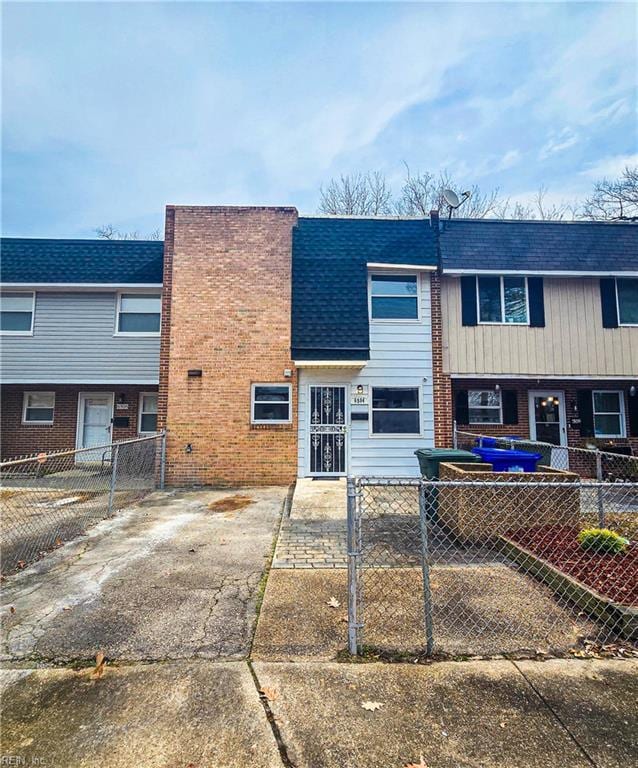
x,y
18,439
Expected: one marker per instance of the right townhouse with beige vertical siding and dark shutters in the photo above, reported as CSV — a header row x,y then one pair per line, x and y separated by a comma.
x,y
540,329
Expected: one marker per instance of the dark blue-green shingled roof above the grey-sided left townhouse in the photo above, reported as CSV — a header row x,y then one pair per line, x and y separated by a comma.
x,y
34,260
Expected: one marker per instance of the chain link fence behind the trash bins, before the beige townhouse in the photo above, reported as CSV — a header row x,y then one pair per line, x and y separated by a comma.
x,y
594,463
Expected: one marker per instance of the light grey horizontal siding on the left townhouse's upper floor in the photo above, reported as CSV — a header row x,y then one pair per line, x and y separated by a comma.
x,y
73,342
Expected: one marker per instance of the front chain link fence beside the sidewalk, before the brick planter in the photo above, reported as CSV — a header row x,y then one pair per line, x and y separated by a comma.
x,y
470,567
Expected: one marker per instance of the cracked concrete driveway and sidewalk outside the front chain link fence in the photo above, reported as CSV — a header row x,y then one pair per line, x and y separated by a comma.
x,y
168,591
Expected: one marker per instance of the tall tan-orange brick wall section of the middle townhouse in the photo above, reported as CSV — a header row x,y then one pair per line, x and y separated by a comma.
x,y
227,294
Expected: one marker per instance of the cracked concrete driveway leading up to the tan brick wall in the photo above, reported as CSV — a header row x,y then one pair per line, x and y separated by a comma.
x,y
174,577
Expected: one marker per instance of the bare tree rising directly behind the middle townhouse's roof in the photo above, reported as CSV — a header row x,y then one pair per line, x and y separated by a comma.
x,y
357,194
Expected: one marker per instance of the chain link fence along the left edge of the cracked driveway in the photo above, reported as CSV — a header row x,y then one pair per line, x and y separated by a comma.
x,y
52,497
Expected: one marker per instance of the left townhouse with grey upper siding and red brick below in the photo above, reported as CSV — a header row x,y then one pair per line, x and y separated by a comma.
x,y
79,341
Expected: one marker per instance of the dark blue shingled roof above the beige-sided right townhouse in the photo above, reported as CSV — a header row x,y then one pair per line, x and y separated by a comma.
x,y
587,246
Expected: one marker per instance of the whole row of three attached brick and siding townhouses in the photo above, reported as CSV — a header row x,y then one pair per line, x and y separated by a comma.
x,y
309,346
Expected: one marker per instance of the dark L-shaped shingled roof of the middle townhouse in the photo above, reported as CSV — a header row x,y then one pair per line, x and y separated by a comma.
x,y
329,279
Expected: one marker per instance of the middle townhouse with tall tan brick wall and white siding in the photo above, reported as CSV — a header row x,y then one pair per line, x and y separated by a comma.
x,y
296,346
